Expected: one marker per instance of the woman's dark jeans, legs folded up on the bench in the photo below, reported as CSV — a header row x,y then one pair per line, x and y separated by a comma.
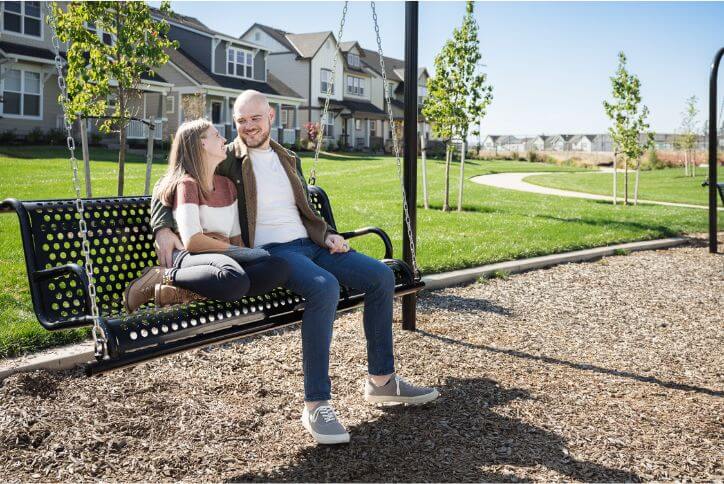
x,y
228,277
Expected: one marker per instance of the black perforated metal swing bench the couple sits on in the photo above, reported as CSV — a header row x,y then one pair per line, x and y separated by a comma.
x,y
121,246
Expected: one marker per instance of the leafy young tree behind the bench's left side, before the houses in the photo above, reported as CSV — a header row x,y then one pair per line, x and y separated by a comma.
x,y
99,67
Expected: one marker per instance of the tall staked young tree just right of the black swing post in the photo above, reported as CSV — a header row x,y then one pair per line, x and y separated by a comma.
x,y
458,94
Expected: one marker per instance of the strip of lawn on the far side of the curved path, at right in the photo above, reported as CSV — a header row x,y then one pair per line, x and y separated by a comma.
x,y
666,185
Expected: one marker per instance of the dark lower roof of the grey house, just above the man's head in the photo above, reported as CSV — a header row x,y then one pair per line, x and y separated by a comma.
x,y
199,74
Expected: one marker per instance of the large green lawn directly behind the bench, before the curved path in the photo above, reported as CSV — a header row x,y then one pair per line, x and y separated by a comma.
x,y
496,225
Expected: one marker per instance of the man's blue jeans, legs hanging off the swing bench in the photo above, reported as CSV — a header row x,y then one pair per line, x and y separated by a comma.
x,y
316,274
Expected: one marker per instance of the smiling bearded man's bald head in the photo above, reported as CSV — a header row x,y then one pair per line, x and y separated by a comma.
x,y
253,118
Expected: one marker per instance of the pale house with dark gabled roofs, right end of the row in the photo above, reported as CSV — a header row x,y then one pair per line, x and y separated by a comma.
x,y
357,106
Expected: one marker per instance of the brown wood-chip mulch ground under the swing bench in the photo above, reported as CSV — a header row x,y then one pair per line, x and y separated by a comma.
x,y
603,371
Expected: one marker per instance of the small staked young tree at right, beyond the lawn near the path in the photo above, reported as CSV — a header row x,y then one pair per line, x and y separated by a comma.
x,y
629,123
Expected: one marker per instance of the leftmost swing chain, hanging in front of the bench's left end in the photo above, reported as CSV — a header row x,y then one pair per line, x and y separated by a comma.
x,y
99,336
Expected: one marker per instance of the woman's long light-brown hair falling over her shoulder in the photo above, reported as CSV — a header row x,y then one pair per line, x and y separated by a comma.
x,y
186,158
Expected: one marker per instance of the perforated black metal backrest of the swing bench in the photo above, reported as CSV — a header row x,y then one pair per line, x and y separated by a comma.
x,y
121,244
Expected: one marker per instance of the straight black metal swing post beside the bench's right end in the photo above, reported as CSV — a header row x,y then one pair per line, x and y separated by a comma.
x,y
409,303
